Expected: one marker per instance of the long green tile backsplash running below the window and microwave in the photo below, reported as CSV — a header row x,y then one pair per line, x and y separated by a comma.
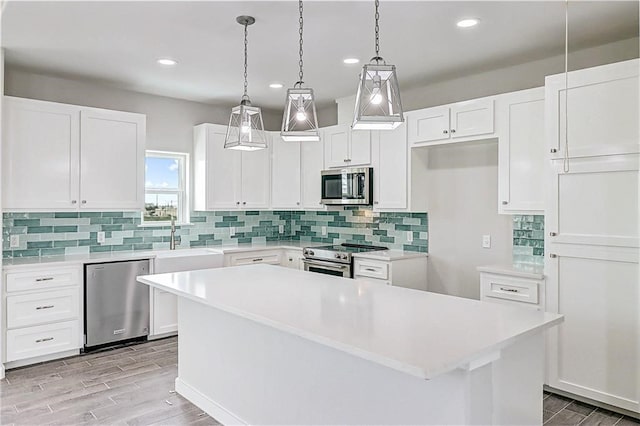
x,y
58,233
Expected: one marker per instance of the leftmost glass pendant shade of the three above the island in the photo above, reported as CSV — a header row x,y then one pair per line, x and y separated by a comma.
x,y
246,130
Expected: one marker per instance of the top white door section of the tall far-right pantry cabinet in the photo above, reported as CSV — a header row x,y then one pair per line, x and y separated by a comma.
x,y
602,111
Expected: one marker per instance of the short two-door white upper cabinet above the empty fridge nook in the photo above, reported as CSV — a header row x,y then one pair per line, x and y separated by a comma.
x,y
458,122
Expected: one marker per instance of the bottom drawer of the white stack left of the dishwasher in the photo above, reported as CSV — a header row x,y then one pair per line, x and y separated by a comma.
x,y
41,340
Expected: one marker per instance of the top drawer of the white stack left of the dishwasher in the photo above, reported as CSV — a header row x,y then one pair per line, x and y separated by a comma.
x,y
45,278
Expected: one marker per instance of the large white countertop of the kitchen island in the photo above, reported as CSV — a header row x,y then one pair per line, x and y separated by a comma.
x,y
420,333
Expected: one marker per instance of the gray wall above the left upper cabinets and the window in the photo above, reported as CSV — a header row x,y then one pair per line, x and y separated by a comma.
x,y
169,121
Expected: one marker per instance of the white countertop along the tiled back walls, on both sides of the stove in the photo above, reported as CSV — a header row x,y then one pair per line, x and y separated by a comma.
x,y
21,262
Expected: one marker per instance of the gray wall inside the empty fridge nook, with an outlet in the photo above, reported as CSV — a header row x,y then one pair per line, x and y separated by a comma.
x,y
462,192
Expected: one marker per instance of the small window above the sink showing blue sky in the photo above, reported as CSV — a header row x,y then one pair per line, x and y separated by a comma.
x,y
165,187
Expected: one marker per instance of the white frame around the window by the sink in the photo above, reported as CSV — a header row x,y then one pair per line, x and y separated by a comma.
x,y
182,192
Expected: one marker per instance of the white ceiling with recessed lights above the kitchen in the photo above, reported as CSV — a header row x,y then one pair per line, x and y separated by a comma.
x,y
118,42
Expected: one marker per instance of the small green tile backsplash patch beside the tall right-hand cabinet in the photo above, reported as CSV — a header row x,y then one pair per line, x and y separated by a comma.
x,y
528,239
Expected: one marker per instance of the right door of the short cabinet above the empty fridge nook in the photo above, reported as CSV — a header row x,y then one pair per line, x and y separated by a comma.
x,y
472,118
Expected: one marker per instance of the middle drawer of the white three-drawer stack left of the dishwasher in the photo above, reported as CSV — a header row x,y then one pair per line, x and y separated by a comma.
x,y
38,308
